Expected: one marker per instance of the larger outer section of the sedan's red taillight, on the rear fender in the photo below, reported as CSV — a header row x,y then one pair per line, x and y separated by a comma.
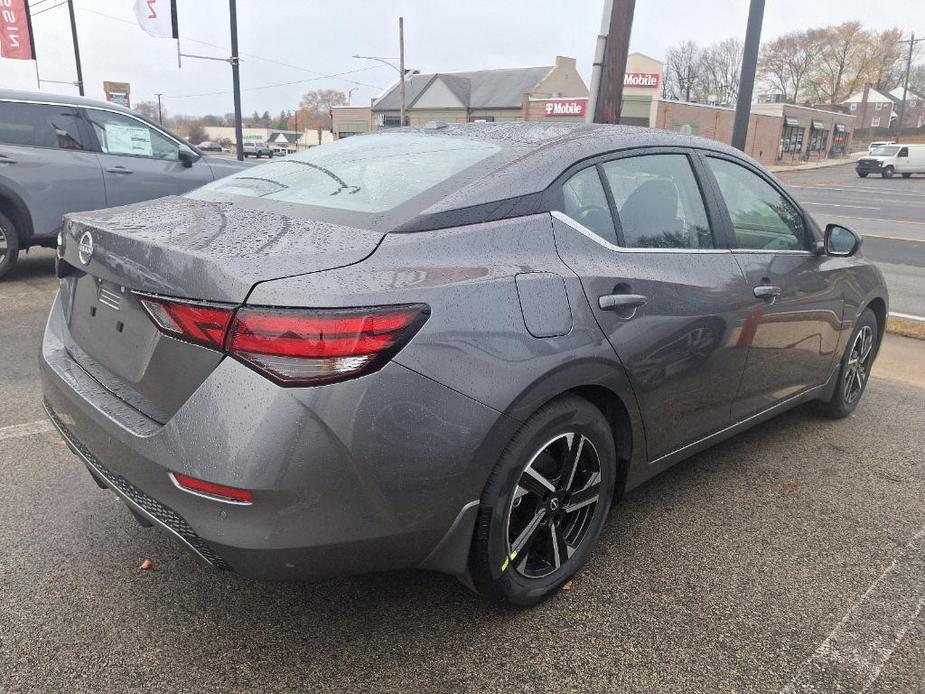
x,y
310,347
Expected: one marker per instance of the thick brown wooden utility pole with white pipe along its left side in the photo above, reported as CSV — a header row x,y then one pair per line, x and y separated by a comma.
x,y
607,98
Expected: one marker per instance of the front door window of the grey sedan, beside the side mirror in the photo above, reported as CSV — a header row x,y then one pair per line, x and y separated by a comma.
x,y
762,218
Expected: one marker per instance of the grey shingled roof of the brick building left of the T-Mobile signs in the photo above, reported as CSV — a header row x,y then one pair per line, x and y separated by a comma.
x,y
499,88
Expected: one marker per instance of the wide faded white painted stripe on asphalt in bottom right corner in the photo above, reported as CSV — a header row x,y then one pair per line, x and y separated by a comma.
x,y
854,654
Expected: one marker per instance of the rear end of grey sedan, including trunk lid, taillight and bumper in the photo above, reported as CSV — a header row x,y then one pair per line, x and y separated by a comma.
x,y
279,441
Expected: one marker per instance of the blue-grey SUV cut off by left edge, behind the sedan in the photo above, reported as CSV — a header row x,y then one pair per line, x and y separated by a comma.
x,y
62,154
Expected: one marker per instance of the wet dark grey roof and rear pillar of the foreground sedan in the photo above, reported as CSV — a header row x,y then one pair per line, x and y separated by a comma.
x,y
537,153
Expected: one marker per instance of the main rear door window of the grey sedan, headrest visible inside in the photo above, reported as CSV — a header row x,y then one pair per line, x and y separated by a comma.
x,y
658,202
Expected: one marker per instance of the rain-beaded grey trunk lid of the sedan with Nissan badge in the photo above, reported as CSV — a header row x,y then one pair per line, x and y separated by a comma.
x,y
196,250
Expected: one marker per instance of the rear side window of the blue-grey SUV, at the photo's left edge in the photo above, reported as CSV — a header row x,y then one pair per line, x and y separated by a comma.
x,y
40,125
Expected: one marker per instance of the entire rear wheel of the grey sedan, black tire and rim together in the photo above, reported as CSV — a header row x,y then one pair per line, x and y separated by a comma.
x,y
508,509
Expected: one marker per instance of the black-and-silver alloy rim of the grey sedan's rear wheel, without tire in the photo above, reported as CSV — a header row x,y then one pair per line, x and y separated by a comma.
x,y
553,505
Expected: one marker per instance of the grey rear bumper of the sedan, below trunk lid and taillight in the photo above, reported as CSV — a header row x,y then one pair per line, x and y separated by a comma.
x,y
360,476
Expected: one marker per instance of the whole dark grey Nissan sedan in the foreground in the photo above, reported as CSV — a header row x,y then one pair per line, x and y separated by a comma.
x,y
449,348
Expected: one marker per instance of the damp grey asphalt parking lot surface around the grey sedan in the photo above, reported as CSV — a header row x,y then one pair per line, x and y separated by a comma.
x,y
785,554
